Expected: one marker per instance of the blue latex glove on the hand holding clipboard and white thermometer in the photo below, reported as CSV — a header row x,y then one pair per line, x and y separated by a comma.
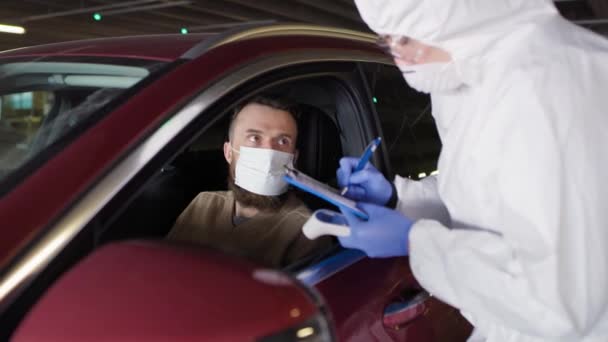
x,y
385,234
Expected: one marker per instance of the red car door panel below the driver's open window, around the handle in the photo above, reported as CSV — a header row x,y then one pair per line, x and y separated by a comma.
x,y
377,283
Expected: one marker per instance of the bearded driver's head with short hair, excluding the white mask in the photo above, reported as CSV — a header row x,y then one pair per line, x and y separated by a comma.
x,y
261,127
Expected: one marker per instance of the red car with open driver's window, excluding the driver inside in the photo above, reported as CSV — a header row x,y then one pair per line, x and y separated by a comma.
x,y
104,142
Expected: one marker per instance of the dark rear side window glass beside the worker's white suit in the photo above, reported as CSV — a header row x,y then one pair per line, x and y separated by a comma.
x,y
408,128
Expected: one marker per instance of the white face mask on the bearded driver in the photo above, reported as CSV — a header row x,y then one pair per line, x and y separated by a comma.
x,y
261,170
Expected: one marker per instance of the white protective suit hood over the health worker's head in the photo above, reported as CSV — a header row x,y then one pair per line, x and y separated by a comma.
x,y
464,28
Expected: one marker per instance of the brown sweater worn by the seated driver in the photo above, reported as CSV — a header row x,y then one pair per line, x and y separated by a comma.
x,y
271,239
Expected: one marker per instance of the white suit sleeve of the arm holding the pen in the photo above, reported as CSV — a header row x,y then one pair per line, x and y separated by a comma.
x,y
420,199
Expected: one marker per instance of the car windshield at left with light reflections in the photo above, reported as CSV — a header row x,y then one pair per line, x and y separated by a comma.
x,y
43,100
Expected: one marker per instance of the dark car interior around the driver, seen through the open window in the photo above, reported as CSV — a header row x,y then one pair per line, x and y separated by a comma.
x,y
201,166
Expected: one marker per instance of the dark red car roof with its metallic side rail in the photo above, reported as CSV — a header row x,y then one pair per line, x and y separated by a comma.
x,y
169,47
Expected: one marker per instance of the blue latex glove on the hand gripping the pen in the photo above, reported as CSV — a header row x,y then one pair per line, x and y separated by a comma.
x,y
367,185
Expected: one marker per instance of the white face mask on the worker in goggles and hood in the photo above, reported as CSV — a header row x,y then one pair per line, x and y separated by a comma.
x,y
432,77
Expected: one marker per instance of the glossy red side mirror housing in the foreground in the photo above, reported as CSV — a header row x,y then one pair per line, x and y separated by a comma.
x,y
184,293
